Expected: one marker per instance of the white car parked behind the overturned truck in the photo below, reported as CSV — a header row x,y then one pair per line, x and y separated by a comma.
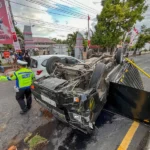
x,y
38,63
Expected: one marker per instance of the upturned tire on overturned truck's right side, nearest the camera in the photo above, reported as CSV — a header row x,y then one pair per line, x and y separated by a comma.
x,y
97,75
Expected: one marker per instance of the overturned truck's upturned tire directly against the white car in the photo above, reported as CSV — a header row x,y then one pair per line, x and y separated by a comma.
x,y
50,66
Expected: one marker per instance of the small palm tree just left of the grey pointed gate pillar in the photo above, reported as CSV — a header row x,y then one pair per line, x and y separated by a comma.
x,y
71,40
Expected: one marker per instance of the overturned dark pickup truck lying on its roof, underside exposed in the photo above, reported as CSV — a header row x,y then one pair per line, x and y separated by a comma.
x,y
77,94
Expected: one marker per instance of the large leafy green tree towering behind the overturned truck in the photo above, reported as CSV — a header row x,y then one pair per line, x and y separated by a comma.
x,y
116,18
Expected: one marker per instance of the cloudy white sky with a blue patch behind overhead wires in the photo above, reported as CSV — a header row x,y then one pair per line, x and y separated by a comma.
x,y
57,18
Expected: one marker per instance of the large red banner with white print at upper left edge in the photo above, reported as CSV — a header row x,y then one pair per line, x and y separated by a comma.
x,y
5,30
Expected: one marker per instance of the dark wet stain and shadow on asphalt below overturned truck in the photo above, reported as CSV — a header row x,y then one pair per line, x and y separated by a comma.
x,y
62,137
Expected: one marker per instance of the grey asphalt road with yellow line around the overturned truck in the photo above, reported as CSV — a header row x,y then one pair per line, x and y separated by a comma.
x,y
110,133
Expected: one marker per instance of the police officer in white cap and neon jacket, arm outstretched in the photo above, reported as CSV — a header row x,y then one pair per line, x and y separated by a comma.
x,y
24,78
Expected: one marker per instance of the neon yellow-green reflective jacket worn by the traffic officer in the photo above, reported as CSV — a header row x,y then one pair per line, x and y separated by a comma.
x,y
24,78
